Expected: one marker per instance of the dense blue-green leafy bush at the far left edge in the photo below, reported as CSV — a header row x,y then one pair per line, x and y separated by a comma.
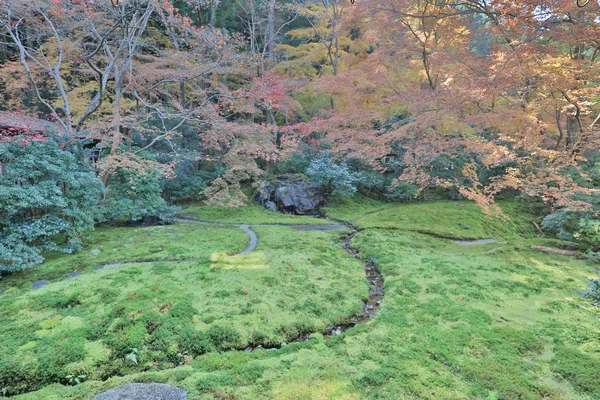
x,y
47,200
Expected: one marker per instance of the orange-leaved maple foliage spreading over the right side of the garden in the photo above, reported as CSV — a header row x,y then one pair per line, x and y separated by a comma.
x,y
510,86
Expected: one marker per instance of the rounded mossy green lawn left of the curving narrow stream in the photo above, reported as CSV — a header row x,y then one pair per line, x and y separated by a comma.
x,y
156,316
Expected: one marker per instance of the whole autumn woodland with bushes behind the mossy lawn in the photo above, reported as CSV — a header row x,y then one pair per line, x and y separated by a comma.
x,y
117,111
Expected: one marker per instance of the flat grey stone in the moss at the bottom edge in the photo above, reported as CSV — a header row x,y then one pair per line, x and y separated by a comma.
x,y
145,391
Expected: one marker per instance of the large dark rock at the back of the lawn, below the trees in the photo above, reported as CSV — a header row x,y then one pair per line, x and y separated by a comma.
x,y
291,195
